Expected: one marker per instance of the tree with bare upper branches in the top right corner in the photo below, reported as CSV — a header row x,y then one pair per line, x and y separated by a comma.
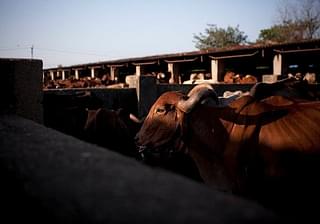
x,y
298,20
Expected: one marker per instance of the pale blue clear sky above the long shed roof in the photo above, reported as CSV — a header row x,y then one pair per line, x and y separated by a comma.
x,y
72,32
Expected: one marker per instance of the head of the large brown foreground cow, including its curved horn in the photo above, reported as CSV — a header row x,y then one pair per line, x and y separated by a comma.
x,y
164,126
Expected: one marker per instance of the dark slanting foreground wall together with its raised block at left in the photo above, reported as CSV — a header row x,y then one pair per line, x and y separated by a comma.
x,y
50,177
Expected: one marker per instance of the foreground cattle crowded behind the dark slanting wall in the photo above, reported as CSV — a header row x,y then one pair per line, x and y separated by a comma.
x,y
263,145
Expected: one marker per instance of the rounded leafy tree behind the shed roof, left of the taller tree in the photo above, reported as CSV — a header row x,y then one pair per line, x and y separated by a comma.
x,y
215,37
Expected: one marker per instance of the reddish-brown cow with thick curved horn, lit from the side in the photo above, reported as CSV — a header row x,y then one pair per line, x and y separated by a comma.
x,y
265,149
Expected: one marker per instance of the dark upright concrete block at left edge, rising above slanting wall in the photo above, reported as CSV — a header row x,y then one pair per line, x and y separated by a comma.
x,y
21,84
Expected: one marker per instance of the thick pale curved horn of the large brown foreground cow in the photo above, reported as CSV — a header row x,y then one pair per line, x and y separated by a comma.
x,y
197,95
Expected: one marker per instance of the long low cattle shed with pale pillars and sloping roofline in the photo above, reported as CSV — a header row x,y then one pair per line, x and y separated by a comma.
x,y
259,60
